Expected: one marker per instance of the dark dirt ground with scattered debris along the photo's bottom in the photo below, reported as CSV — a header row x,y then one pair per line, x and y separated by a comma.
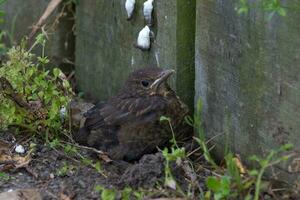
x,y
57,174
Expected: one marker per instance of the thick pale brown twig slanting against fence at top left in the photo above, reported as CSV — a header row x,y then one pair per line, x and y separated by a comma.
x,y
50,8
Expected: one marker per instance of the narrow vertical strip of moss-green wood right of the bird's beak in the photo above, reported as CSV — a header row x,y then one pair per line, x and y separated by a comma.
x,y
186,13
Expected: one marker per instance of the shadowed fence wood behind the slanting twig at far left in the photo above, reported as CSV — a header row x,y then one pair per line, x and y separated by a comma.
x,y
21,15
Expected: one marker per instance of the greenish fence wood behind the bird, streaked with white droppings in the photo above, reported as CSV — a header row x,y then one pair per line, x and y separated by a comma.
x,y
105,54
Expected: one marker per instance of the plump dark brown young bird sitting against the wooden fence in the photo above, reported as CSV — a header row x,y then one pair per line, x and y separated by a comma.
x,y
128,125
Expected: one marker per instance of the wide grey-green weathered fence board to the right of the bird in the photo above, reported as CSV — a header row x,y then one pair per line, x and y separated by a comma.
x,y
248,77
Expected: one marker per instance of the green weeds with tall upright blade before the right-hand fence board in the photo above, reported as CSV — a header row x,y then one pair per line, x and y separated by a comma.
x,y
234,181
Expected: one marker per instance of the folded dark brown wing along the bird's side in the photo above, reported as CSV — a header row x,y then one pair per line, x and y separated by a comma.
x,y
118,112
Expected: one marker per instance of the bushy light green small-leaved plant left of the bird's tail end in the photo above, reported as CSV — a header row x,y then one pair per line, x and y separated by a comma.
x,y
45,92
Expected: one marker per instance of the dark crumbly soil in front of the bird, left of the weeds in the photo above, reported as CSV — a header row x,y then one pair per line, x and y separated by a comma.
x,y
79,180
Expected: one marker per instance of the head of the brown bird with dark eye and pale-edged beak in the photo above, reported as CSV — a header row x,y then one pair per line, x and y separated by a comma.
x,y
149,81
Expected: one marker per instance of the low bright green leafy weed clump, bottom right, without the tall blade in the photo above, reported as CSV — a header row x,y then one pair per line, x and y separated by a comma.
x,y
235,185
